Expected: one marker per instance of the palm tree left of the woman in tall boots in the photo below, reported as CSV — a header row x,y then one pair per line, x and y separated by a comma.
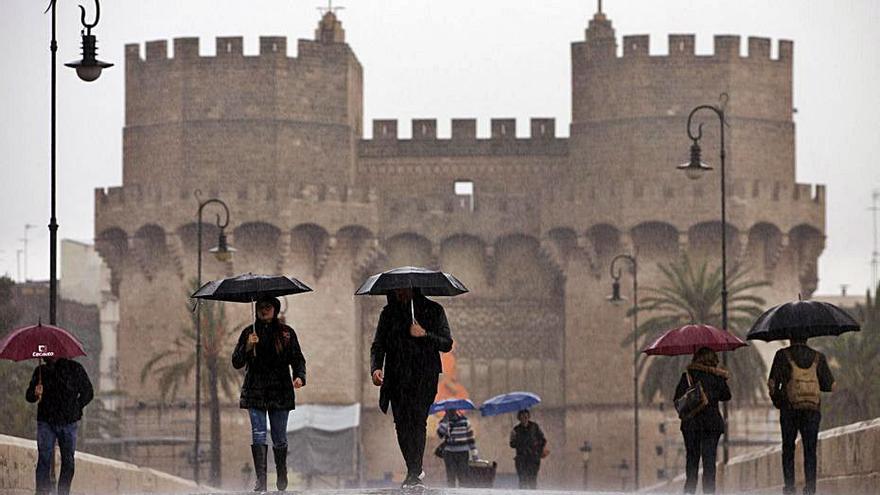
x,y
175,365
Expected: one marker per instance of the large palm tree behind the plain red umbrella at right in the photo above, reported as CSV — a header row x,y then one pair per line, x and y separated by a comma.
x,y
689,295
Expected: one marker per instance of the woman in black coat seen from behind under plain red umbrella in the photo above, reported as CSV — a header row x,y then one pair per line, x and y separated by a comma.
x,y
702,431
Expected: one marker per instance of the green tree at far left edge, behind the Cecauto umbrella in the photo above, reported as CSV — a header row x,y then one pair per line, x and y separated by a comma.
x,y
19,416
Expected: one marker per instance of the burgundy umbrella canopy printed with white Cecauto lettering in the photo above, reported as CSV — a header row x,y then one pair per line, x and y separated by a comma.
x,y
38,341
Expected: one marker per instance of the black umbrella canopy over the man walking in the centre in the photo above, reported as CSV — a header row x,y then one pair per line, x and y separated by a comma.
x,y
431,282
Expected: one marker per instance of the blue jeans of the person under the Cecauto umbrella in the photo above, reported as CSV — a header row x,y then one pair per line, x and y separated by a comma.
x,y
47,435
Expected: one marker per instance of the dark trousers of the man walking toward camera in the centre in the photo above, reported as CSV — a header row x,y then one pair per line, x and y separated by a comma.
x,y
410,410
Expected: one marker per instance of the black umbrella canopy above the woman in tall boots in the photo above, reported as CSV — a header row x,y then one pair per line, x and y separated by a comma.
x,y
250,287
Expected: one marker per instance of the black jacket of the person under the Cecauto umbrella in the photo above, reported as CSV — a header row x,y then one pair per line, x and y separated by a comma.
x,y
66,391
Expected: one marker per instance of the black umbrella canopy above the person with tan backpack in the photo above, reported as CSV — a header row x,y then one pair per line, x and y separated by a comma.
x,y
802,320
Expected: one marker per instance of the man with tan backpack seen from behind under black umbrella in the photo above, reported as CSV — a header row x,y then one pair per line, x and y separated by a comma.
x,y
797,376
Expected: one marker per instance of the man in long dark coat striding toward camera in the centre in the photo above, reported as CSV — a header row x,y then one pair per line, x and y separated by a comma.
x,y
405,363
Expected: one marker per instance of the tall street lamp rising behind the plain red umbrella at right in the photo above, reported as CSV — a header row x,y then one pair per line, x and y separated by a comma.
x,y
695,169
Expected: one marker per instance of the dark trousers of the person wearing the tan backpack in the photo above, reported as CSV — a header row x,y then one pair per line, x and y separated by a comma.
x,y
805,422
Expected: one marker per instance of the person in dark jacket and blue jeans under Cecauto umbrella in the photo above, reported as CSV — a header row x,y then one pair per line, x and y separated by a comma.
x,y
62,388
